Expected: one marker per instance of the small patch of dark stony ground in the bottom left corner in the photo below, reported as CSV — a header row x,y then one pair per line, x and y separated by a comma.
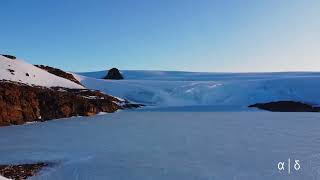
x,y
22,171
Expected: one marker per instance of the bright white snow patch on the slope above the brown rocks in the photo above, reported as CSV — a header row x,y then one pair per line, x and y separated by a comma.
x,y
37,76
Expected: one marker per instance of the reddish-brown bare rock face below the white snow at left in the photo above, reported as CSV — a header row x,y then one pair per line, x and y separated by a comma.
x,y
21,103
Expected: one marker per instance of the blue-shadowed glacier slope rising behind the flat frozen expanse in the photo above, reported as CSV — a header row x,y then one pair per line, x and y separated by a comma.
x,y
169,88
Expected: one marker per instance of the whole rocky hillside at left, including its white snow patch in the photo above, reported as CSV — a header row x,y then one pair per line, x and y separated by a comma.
x,y
47,94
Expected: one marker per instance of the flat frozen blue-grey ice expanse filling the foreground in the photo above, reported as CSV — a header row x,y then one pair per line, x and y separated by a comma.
x,y
172,145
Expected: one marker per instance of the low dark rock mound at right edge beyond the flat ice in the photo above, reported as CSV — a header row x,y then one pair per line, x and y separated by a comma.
x,y
286,106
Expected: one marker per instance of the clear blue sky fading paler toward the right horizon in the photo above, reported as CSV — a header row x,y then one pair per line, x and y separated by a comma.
x,y
192,35
